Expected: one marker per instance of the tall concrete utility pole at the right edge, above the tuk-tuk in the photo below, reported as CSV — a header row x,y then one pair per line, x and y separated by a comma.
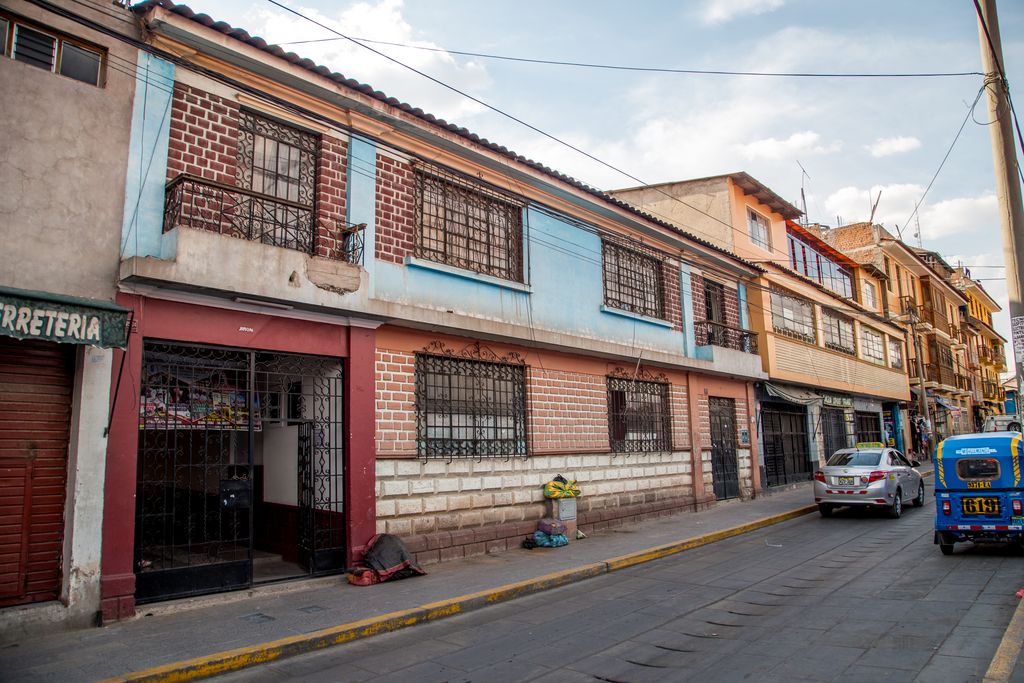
x,y
1007,185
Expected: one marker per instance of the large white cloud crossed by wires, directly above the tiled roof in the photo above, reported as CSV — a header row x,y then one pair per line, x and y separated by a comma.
x,y
379,21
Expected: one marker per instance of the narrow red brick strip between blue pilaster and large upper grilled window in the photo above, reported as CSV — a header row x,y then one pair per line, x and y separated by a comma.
x,y
396,218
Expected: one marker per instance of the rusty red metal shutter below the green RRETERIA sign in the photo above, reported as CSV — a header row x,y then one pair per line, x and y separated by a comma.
x,y
36,381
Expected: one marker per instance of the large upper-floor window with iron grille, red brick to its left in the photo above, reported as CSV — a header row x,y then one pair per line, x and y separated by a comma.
x,y
468,227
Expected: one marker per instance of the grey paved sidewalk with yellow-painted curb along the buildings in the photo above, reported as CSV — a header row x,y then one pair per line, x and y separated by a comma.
x,y
203,636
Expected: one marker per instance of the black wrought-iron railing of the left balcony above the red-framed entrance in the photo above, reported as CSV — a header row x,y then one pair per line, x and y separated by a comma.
x,y
207,205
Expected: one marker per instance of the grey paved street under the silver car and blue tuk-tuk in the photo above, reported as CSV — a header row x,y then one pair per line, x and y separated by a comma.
x,y
859,597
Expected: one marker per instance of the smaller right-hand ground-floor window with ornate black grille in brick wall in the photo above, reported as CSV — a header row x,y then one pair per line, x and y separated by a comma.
x,y
638,416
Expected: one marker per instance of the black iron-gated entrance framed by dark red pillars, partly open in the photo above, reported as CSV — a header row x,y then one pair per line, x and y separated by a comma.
x,y
240,469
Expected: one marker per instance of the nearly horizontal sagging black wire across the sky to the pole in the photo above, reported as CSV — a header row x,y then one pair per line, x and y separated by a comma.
x,y
655,70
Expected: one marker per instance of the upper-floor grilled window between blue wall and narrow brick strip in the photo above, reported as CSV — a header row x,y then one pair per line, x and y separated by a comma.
x,y
632,281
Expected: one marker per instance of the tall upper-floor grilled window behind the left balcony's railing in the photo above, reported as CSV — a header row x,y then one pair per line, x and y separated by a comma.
x,y
279,162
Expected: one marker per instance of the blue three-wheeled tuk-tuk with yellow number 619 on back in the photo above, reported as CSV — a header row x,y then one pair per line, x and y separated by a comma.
x,y
978,490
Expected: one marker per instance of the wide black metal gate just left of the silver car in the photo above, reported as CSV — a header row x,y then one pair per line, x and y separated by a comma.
x,y
785,436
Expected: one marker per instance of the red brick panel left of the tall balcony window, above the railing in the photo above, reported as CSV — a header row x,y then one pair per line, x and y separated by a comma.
x,y
204,136
